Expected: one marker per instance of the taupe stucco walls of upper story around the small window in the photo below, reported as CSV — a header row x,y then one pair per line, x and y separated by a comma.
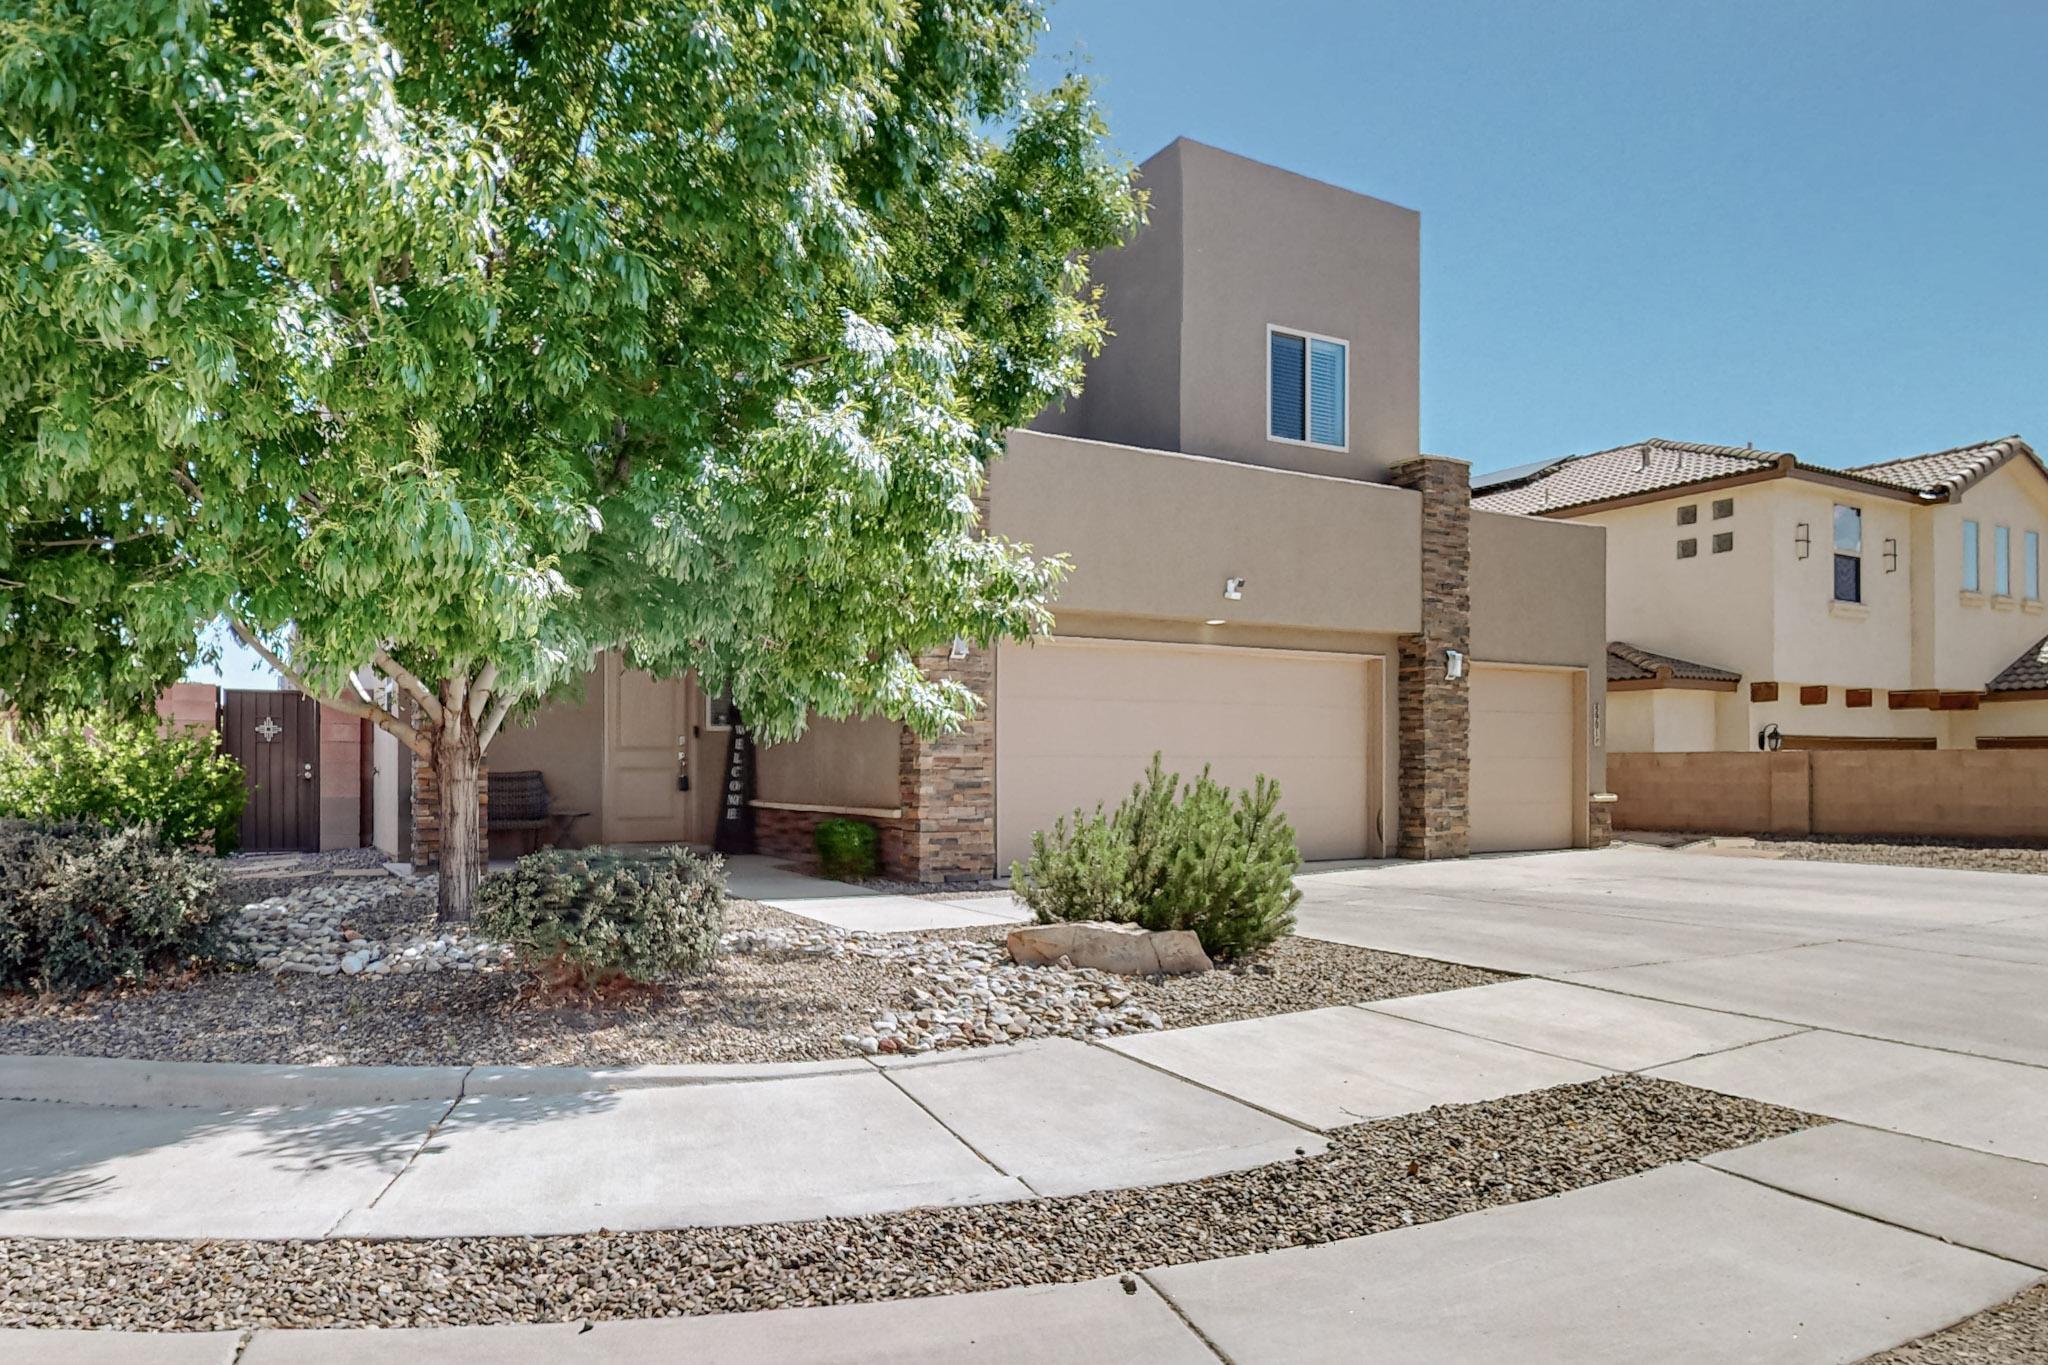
x,y
1232,249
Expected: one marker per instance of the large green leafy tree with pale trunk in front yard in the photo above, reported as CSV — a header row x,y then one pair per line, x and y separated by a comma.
x,y
441,347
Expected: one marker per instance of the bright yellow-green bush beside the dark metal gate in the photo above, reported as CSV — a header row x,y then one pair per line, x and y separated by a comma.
x,y
112,770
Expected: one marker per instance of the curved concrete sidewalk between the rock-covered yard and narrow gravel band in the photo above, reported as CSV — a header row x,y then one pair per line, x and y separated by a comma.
x,y
187,1151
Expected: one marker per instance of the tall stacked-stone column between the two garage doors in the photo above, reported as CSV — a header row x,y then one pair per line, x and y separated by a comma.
x,y
1437,717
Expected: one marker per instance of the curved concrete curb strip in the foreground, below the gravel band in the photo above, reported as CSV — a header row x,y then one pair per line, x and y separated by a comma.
x,y
1682,1264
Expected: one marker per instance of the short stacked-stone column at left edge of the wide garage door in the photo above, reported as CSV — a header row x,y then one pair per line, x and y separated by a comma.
x,y
949,785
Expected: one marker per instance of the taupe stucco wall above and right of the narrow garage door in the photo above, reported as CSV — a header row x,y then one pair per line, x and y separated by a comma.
x,y
1539,597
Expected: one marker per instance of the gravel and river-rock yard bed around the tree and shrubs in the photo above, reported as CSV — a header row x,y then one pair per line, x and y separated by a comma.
x,y
787,989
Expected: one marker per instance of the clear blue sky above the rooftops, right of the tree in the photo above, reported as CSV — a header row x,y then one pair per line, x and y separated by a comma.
x,y
1822,228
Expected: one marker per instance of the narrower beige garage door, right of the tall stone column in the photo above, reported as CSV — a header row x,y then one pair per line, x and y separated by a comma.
x,y
1525,740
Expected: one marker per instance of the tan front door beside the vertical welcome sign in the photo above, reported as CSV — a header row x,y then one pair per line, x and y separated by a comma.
x,y
650,773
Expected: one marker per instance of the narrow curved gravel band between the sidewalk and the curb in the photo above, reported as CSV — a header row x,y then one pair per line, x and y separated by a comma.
x,y
1375,1178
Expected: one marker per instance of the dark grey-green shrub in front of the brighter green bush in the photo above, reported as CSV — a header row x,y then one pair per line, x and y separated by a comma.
x,y
85,906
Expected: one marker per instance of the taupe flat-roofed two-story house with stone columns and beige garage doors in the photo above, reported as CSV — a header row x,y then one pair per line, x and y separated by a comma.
x,y
1269,578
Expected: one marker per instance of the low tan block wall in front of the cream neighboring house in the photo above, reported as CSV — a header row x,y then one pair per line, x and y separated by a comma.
x,y
1904,793
